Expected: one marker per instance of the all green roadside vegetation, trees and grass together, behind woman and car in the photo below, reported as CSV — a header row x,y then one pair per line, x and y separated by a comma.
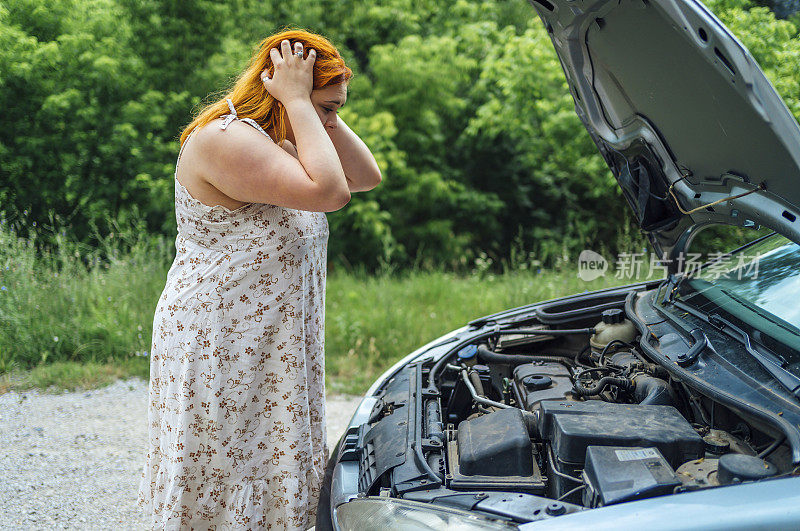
x,y
492,186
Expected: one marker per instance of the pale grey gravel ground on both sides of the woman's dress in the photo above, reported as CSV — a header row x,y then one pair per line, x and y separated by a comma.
x,y
72,461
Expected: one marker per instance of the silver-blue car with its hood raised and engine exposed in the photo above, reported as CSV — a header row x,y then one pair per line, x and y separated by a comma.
x,y
671,403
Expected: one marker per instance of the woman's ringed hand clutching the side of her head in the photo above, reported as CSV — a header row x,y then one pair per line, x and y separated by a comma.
x,y
293,76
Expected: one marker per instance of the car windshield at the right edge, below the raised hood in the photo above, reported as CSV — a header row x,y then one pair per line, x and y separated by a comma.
x,y
759,286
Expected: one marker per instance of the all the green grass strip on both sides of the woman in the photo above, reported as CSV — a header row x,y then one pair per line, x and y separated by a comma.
x,y
75,318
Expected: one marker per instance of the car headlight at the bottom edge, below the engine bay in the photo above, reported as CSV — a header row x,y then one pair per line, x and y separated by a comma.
x,y
365,514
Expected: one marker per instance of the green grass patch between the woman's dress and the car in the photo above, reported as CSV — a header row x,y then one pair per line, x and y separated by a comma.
x,y
371,322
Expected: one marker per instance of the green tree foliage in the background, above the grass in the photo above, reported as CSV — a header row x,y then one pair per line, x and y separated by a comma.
x,y
463,103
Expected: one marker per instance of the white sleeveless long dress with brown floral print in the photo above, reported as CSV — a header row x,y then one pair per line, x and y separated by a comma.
x,y
236,402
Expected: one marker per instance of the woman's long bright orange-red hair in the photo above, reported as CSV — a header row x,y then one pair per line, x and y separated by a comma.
x,y
250,97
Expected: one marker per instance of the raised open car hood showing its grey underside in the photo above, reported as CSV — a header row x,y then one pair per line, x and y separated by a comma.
x,y
681,113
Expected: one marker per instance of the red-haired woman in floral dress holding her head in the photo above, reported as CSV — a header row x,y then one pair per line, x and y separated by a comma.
x,y
237,388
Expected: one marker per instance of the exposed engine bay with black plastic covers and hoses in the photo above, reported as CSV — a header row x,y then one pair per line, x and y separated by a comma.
x,y
562,411
